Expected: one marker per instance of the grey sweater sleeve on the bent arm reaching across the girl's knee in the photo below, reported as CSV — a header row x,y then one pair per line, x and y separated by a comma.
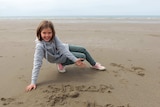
x,y
63,50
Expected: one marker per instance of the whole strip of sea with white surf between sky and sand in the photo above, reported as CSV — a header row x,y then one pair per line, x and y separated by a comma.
x,y
103,19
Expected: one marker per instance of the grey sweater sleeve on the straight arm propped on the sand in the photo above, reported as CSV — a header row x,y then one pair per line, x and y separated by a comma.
x,y
37,63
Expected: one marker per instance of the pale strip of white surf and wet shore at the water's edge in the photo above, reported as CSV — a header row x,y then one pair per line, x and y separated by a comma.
x,y
147,20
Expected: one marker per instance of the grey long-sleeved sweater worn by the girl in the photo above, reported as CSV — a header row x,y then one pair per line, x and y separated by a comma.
x,y
54,52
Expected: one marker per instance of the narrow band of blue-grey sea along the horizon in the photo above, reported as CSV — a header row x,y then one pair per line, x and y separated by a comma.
x,y
84,17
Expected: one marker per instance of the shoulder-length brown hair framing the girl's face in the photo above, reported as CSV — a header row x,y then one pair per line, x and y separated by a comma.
x,y
45,24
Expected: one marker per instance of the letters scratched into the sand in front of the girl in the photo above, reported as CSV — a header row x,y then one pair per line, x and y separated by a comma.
x,y
59,95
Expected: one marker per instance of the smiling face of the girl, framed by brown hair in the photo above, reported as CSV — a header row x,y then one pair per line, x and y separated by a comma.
x,y
46,34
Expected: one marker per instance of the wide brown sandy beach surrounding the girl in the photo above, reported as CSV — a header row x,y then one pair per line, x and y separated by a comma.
x,y
129,50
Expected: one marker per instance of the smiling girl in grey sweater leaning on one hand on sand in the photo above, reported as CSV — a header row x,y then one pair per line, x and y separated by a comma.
x,y
49,46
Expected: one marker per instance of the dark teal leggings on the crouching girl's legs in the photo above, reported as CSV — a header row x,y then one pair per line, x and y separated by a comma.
x,y
79,52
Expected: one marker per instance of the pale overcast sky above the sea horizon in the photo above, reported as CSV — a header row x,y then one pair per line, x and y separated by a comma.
x,y
79,7
